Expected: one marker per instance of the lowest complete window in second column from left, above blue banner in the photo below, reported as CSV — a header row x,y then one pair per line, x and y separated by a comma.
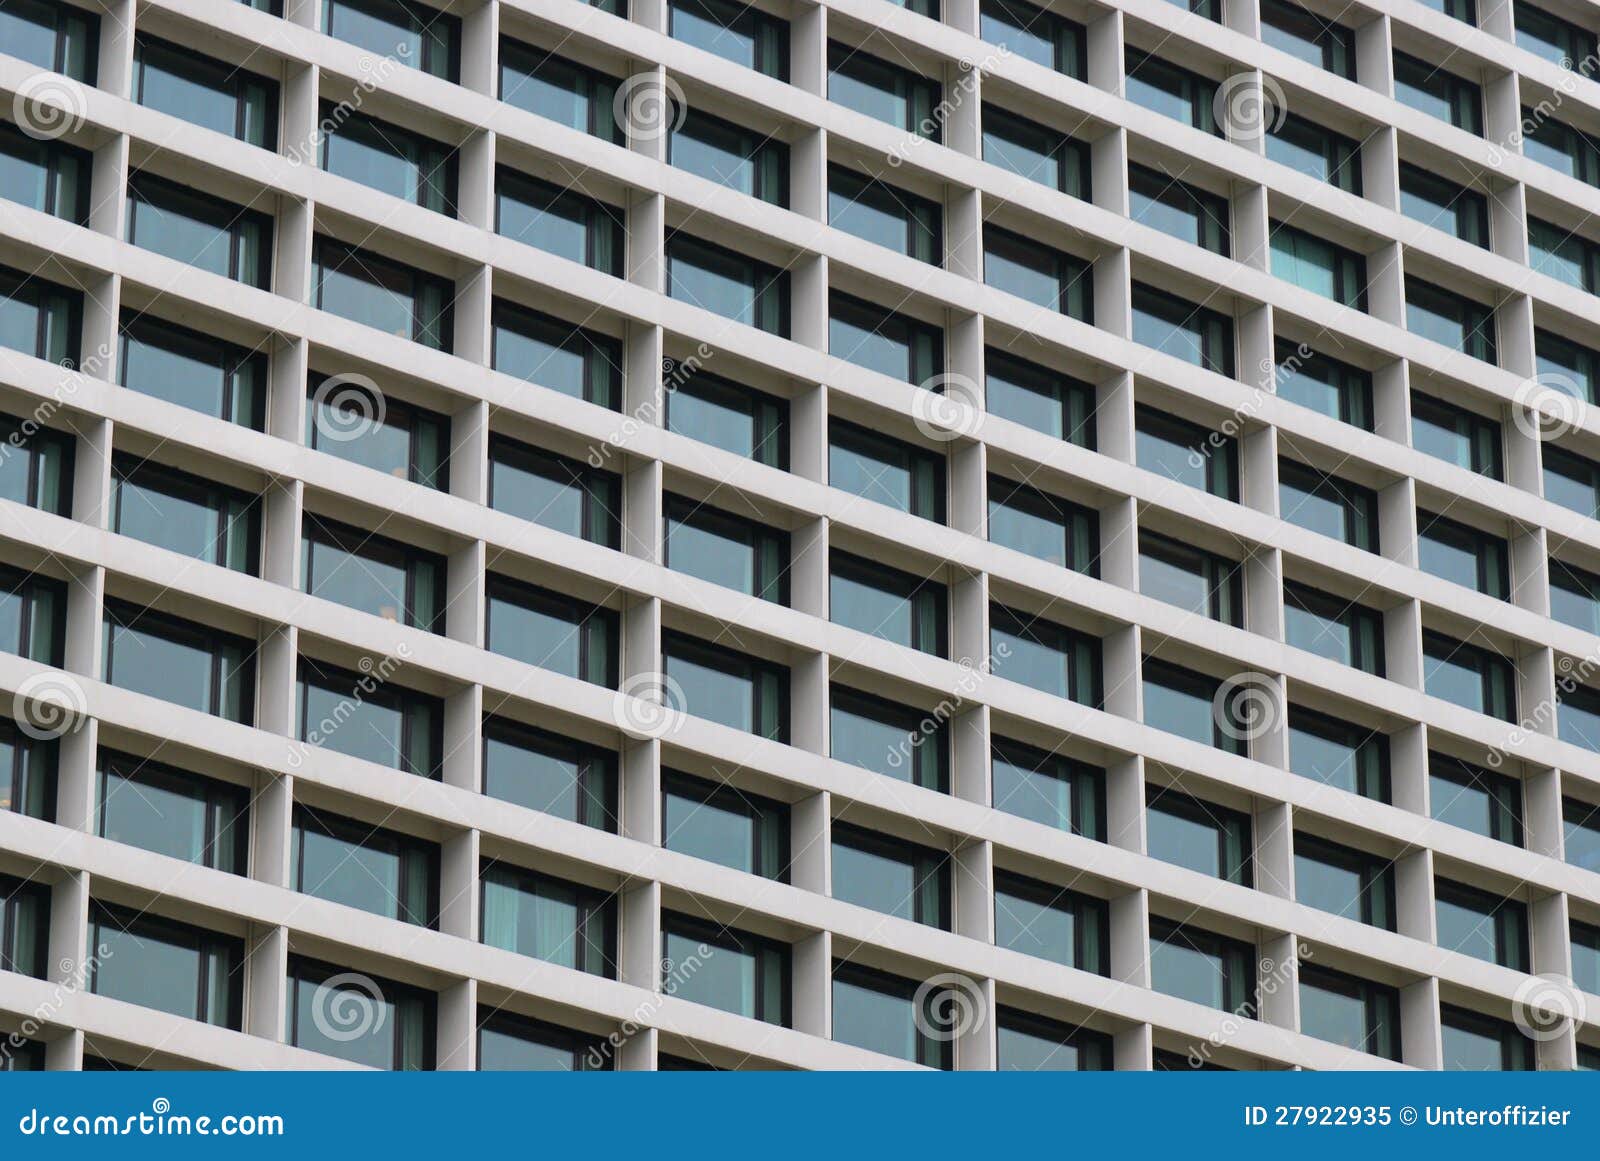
x,y
169,967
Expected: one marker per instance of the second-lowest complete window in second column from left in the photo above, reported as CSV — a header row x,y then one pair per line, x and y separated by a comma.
x,y
175,813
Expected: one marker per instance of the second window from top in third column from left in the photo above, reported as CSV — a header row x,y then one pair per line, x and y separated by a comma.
x,y
390,159
